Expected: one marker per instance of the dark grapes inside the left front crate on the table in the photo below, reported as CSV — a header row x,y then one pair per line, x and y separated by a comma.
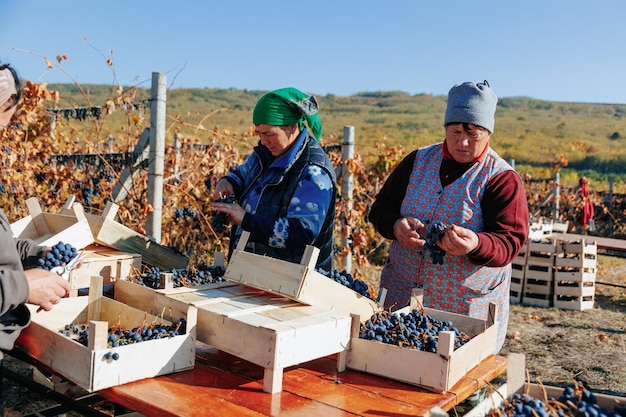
x,y
121,337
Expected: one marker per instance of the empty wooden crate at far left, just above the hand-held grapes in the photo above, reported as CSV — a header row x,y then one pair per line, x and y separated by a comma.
x,y
48,229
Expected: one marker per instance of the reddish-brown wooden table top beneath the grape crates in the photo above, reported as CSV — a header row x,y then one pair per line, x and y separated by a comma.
x,y
226,386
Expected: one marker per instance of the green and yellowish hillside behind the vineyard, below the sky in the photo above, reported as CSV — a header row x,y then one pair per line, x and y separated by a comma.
x,y
540,136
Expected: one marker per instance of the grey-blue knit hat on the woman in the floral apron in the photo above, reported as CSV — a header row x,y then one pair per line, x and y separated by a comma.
x,y
472,103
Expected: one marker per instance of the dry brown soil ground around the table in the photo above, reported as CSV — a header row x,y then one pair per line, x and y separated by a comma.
x,y
561,346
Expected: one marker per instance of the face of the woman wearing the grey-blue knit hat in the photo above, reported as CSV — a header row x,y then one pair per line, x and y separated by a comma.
x,y
465,145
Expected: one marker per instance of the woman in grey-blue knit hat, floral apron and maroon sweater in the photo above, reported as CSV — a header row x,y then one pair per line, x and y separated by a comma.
x,y
457,215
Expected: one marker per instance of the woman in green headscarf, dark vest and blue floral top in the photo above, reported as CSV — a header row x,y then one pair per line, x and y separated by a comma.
x,y
285,190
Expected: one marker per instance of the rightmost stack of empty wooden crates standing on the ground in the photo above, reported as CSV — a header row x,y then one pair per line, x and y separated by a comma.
x,y
575,274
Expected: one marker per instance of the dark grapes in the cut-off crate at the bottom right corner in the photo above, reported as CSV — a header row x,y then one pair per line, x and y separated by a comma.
x,y
573,402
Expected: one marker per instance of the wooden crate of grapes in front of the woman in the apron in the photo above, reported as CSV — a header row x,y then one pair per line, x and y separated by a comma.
x,y
434,371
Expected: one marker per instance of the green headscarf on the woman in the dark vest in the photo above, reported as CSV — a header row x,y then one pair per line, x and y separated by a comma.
x,y
288,106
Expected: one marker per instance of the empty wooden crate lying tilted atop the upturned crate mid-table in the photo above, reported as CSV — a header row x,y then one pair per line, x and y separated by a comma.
x,y
299,282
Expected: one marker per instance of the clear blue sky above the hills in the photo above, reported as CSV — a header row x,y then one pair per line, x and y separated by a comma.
x,y
557,50
